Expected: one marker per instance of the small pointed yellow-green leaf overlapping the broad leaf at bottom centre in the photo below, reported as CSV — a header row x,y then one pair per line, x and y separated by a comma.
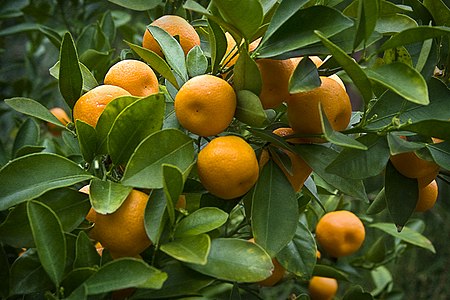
x,y
190,249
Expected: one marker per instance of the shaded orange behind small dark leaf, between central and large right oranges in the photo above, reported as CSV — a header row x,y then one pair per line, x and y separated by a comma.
x,y
275,76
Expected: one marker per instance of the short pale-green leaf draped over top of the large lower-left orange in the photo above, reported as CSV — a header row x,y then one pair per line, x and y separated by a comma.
x,y
107,196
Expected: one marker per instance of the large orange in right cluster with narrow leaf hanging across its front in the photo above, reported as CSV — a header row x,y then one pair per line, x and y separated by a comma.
x,y
303,108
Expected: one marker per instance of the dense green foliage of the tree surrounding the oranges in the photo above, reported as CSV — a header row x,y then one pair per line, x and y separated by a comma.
x,y
202,249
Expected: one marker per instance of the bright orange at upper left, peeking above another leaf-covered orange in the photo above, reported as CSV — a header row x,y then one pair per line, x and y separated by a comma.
x,y
134,76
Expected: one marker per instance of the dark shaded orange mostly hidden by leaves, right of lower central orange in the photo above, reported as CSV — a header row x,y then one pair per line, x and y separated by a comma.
x,y
299,168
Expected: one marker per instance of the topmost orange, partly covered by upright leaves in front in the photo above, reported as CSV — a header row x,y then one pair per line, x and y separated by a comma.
x,y
175,26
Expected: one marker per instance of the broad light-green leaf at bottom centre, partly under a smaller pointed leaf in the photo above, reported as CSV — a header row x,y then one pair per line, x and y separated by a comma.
x,y
236,260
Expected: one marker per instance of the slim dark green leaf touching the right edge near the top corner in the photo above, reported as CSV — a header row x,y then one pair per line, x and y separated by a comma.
x,y
413,35
